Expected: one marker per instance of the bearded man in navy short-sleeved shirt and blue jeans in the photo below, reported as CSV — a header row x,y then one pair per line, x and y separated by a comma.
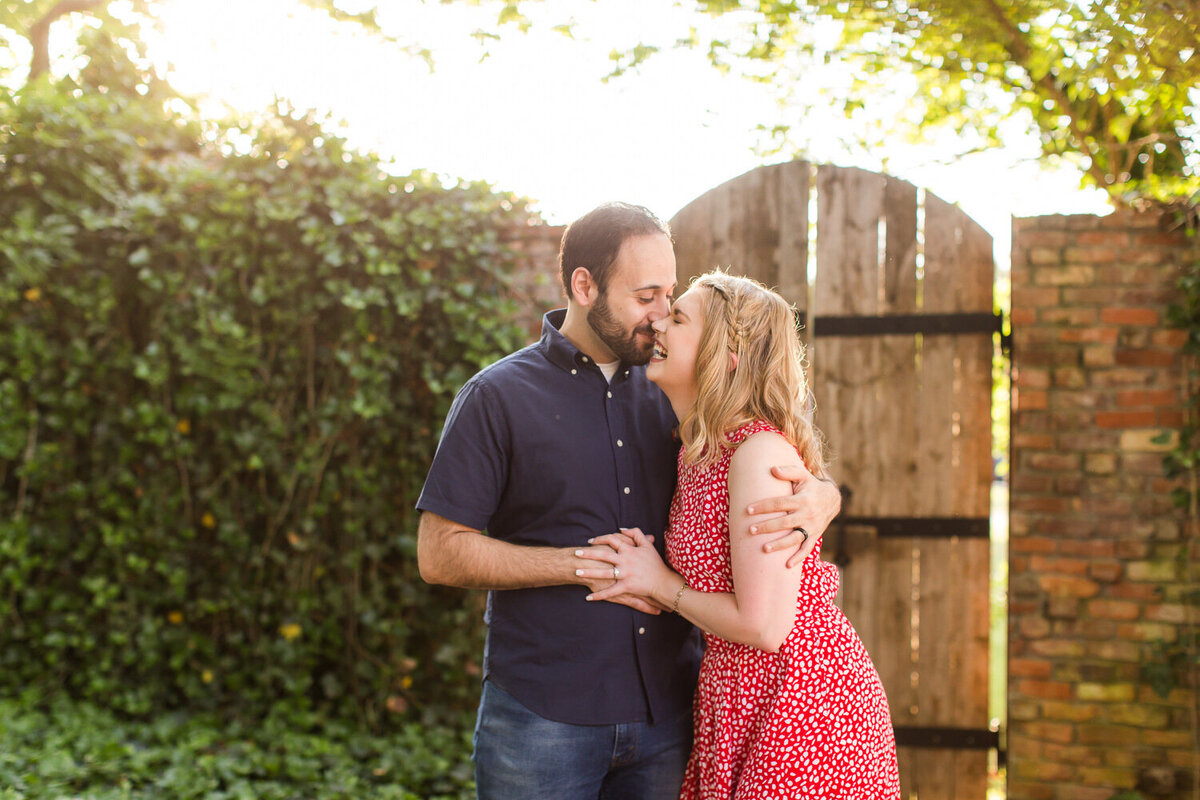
x,y
559,443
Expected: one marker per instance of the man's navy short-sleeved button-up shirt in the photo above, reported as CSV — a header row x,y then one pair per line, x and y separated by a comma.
x,y
539,449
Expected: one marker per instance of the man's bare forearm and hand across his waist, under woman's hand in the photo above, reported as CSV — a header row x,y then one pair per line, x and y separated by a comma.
x,y
458,556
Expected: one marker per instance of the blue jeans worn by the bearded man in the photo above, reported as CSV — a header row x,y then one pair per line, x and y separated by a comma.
x,y
521,756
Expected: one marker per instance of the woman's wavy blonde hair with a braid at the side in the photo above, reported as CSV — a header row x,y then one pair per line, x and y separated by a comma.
x,y
747,318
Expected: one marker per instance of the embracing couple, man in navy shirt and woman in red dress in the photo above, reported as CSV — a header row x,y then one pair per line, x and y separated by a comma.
x,y
653,494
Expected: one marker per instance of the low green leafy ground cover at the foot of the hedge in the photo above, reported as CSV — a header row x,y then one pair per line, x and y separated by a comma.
x,y
57,750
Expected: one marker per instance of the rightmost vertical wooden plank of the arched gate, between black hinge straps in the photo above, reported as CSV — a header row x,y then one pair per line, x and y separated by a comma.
x,y
952,607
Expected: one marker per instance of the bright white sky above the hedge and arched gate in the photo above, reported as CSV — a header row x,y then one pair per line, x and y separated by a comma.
x,y
536,117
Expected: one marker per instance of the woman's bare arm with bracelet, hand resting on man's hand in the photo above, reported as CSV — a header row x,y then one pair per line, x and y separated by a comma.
x,y
763,611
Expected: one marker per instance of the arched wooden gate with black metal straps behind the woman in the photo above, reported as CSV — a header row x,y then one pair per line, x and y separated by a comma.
x,y
897,291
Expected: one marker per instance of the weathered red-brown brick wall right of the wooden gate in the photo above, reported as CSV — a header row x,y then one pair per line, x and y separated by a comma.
x,y
1096,573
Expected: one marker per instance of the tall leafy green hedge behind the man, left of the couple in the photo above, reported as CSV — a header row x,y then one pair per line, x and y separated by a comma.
x,y
225,358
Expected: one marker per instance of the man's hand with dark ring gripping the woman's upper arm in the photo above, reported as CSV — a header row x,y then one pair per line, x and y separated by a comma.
x,y
811,508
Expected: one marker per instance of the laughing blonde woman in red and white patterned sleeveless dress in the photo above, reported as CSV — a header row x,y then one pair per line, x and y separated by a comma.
x,y
789,703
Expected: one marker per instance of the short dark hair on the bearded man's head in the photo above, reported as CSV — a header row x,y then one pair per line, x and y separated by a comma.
x,y
593,240
